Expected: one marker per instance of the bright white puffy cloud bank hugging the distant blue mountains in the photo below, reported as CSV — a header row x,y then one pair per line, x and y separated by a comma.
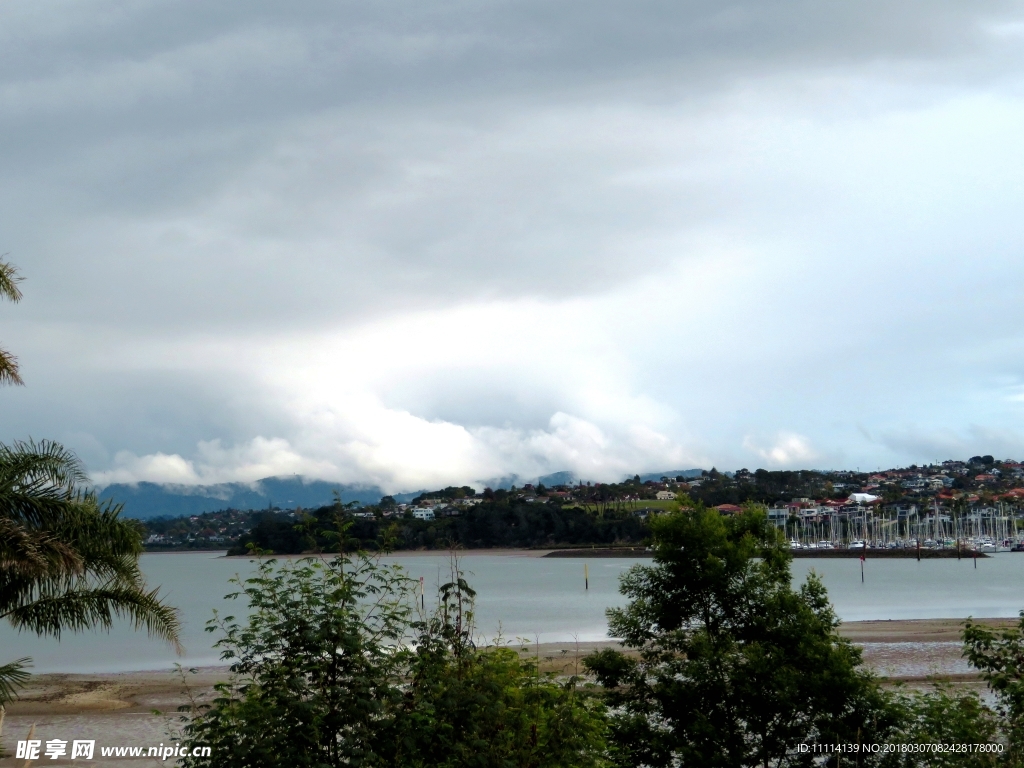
x,y
403,453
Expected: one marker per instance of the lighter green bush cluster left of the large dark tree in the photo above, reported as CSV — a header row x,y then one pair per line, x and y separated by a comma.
x,y
333,668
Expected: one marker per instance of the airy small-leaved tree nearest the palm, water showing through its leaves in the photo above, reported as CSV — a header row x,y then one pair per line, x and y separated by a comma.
x,y
317,668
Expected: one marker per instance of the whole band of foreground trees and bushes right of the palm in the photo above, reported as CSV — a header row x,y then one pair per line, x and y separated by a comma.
x,y
732,667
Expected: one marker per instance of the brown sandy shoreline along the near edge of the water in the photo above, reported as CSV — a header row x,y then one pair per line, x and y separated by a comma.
x,y
141,693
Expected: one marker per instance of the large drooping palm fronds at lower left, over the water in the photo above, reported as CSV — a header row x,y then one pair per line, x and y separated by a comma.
x,y
67,563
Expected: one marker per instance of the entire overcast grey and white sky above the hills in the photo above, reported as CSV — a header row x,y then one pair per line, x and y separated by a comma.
x,y
416,244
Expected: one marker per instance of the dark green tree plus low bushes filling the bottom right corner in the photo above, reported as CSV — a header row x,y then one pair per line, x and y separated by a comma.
x,y
733,667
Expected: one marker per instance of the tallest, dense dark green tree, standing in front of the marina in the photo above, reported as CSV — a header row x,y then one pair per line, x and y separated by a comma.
x,y
731,666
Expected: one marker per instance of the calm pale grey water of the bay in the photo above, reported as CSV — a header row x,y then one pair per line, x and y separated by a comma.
x,y
535,599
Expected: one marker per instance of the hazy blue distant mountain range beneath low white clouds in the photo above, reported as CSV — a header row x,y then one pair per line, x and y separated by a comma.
x,y
146,500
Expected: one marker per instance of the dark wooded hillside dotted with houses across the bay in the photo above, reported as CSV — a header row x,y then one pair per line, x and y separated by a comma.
x,y
574,514
